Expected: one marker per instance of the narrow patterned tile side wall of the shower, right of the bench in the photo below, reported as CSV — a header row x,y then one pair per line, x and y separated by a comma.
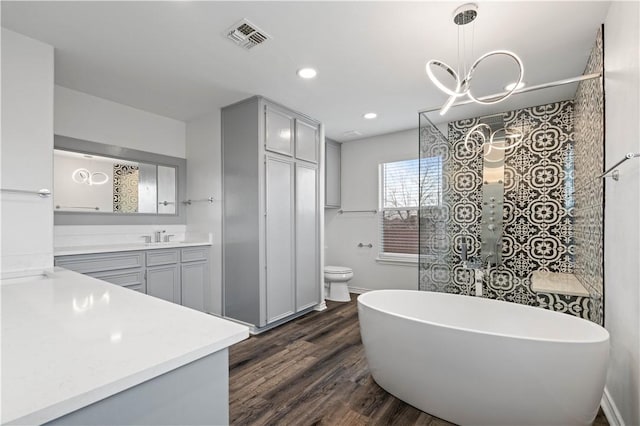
x,y
589,161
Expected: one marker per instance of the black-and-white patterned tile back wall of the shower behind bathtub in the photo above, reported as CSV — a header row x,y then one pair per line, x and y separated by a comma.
x,y
506,208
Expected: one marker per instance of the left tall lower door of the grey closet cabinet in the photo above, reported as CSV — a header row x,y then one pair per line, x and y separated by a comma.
x,y
279,229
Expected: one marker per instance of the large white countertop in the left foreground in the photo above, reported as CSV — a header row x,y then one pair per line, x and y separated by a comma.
x,y
69,340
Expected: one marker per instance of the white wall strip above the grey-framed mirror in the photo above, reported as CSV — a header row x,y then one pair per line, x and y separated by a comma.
x,y
82,116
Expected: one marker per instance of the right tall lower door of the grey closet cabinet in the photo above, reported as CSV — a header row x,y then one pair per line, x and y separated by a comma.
x,y
307,272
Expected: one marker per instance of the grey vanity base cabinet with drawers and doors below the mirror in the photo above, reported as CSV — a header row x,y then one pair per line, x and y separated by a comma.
x,y
178,275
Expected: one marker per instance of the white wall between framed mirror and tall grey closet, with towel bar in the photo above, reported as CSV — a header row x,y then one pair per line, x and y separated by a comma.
x,y
204,173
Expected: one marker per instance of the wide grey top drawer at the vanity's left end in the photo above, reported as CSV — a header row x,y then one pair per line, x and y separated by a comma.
x,y
87,263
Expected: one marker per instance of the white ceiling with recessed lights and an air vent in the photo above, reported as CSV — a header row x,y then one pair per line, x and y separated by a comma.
x,y
171,58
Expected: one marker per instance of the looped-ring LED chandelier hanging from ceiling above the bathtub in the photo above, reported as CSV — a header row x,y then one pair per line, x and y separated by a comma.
x,y
462,16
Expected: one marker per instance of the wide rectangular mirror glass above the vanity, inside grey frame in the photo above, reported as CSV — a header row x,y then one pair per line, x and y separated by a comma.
x,y
91,183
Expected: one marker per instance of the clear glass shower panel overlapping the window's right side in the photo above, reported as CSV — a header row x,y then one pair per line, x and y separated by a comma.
x,y
440,237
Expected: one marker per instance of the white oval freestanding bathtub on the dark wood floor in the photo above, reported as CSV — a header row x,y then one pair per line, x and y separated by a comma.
x,y
475,361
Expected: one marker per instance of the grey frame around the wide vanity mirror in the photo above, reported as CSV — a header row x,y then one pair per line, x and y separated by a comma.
x,y
110,218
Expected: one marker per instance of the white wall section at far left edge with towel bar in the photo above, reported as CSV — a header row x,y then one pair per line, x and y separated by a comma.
x,y
27,152
